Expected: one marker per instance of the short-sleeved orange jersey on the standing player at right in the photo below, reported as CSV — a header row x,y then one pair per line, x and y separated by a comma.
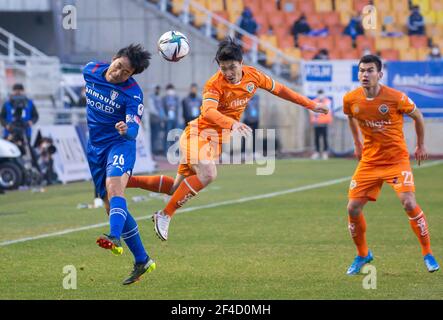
x,y
380,120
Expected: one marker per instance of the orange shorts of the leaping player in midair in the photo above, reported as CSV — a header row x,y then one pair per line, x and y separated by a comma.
x,y
197,148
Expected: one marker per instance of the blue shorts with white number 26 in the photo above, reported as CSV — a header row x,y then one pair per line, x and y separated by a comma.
x,y
111,161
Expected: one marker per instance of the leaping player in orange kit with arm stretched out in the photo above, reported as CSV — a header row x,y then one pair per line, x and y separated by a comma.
x,y
225,97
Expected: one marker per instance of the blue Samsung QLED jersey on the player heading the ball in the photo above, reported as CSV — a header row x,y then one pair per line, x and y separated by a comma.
x,y
109,103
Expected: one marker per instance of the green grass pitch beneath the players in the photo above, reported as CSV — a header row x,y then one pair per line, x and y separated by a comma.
x,y
289,246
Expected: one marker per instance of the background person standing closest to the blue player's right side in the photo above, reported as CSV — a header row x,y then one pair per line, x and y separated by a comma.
x,y
157,120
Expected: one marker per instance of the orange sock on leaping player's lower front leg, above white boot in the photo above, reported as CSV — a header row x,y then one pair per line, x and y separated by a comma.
x,y
185,191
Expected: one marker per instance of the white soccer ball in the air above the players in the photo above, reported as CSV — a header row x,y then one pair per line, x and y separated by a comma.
x,y
173,46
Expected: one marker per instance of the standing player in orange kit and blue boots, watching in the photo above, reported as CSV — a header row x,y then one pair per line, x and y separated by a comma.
x,y
378,111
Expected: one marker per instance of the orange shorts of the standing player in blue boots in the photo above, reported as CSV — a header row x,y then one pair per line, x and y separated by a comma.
x,y
368,179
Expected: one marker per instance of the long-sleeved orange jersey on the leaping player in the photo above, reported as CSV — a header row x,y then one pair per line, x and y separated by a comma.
x,y
224,103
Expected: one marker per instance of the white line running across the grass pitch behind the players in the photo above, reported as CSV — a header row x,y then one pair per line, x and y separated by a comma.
x,y
212,205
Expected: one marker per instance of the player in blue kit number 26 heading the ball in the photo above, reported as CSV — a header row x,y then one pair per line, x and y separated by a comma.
x,y
114,109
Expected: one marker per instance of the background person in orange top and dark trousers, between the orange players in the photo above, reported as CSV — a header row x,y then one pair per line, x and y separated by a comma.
x,y
321,122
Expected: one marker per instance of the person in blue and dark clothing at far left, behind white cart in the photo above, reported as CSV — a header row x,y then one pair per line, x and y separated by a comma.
x,y
18,114
